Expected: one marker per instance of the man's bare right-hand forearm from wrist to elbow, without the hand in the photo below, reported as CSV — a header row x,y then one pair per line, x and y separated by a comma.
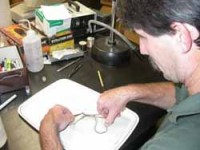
x,y
161,94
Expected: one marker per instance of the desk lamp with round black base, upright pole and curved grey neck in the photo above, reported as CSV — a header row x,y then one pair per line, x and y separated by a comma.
x,y
111,50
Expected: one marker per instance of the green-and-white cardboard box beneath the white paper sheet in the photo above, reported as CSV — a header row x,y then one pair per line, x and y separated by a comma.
x,y
51,27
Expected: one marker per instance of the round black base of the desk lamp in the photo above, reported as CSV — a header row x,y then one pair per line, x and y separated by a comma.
x,y
110,54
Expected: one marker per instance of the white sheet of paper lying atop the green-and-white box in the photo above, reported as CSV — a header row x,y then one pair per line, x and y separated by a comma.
x,y
55,12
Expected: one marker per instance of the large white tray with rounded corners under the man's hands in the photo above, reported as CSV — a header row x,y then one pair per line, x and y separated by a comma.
x,y
78,98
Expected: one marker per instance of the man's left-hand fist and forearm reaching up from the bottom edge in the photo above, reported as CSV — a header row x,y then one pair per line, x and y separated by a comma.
x,y
56,120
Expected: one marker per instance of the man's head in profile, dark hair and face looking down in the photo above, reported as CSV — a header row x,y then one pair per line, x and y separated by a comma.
x,y
169,31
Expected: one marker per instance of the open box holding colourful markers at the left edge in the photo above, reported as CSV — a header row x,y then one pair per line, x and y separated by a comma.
x,y
15,76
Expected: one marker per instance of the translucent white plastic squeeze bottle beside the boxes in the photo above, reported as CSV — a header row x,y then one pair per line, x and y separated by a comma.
x,y
33,51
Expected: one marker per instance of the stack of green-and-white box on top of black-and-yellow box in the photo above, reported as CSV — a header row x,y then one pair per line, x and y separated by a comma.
x,y
59,35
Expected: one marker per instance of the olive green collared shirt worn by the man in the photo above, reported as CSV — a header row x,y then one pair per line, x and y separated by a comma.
x,y
180,129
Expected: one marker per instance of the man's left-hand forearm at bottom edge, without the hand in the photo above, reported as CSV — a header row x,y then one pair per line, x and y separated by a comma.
x,y
49,137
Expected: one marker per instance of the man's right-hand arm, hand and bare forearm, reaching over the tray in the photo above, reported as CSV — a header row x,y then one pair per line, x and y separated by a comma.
x,y
113,101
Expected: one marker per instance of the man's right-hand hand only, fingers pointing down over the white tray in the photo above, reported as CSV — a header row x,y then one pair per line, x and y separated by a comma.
x,y
111,103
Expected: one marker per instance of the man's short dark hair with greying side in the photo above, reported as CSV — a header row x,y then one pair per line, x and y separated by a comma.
x,y
156,16
